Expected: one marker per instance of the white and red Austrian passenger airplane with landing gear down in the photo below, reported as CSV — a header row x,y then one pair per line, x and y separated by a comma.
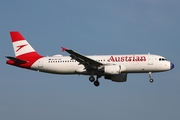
x,y
111,67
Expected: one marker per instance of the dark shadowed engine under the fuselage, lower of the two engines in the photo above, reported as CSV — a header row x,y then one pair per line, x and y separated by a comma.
x,y
117,78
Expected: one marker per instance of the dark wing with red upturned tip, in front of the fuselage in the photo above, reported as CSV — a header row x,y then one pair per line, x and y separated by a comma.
x,y
86,61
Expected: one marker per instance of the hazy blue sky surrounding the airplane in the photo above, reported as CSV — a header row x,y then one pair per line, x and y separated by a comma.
x,y
90,27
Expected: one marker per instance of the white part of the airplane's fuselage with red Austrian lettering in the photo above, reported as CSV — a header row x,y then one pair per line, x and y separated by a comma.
x,y
139,63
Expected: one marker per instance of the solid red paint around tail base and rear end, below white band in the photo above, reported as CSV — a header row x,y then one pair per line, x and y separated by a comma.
x,y
29,57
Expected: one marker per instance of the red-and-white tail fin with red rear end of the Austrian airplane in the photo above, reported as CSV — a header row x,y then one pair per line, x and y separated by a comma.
x,y
23,51
